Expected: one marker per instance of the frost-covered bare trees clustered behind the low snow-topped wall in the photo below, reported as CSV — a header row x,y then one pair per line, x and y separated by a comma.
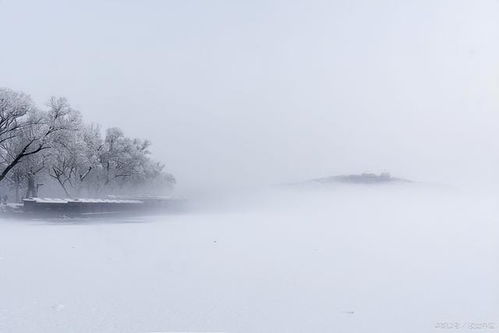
x,y
56,146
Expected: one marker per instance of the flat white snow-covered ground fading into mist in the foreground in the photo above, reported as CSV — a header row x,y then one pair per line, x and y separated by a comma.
x,y
364,259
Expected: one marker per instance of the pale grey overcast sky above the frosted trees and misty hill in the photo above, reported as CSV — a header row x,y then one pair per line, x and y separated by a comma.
x,y
256,92
